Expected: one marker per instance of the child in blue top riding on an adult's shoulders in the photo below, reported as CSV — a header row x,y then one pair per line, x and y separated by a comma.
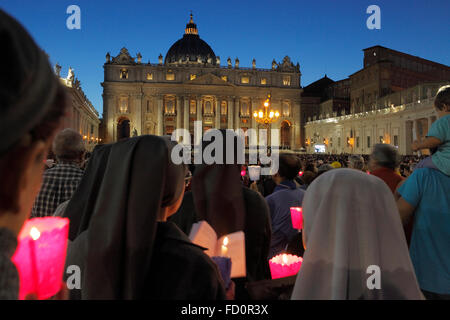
x,y
438,136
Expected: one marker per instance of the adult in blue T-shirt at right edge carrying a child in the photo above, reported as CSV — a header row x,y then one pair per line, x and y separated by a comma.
x,y
425,195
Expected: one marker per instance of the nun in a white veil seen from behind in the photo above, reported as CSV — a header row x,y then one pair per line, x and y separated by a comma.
x,y
352,230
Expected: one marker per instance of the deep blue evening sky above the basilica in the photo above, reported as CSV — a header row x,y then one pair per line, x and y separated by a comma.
x,y
324,36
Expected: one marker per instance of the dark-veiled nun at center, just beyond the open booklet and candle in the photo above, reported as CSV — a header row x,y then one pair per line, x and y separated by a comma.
x,y
219,197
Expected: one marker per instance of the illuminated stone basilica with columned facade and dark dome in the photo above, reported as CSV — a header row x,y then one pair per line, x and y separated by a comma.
x,y
191,84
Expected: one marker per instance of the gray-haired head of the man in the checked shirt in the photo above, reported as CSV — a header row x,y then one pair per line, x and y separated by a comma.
x,y
68,145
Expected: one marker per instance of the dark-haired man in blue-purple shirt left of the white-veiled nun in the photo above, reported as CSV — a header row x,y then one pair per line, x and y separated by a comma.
x,y
285,196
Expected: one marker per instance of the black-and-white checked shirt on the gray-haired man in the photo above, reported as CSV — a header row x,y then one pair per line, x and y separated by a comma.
x,y
58,185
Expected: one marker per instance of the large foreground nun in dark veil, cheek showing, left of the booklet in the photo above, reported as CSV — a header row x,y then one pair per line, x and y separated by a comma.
x,y
128,250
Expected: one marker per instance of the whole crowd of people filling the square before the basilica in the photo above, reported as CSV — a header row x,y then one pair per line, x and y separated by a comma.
x,y
131,208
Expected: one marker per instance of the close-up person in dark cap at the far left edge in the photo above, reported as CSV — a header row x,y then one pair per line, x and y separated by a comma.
x,y
33,102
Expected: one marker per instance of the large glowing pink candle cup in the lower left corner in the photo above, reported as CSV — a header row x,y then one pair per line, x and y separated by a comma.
x,y
41,255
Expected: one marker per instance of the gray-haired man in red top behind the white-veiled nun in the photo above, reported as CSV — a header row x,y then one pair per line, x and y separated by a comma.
x,y
383,162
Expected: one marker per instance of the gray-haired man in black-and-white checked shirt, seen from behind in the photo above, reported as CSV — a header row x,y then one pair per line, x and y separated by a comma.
x,y
61,181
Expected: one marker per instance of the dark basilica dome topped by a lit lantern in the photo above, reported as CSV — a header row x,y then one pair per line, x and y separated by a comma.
x,y
190,48
